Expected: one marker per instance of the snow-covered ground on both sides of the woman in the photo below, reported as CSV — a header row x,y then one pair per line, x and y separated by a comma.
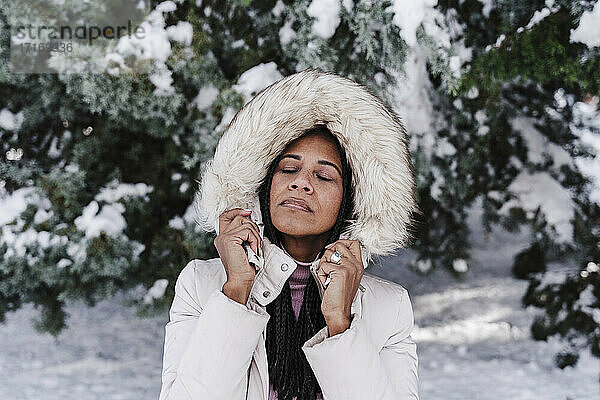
x,y
473,342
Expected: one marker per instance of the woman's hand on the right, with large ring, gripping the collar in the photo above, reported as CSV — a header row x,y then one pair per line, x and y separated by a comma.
x,y
344,281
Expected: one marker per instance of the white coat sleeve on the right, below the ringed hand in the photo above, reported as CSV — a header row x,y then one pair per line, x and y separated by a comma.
x,y
349,366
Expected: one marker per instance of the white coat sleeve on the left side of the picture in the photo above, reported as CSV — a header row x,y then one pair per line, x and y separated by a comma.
x,y
208,347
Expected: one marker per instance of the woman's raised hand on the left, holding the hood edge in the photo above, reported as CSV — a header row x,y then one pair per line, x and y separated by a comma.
x,y
235,228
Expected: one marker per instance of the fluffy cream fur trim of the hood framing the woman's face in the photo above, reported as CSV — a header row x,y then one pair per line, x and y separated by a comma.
x,y
372,135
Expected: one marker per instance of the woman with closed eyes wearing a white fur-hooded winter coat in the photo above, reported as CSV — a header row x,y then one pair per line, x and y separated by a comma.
x,y
286,310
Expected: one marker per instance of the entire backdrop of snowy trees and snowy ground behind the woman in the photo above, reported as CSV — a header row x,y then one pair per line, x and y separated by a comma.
x,y
104,132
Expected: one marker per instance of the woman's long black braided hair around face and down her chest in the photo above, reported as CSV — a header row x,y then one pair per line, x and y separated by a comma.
x,y
289,371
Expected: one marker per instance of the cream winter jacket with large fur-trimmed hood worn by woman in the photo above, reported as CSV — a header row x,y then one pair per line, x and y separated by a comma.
x,y
215,347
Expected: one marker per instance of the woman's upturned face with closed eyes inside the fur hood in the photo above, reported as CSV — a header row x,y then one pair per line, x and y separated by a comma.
x,y
308,174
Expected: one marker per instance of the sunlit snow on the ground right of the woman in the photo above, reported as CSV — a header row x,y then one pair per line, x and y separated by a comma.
x,y
473,336
